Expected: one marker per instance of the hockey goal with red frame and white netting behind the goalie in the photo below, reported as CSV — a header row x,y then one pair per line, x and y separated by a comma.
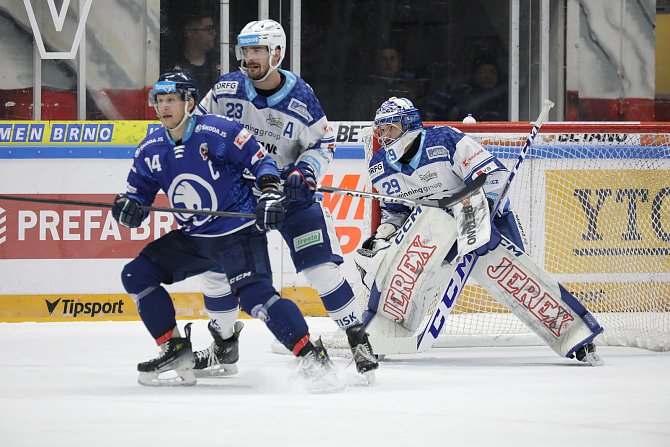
x,y
593,201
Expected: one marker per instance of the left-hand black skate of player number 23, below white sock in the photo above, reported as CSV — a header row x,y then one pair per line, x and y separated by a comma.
x,y
222,355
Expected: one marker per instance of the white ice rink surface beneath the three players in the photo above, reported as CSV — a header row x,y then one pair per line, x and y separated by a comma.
x,y
74,384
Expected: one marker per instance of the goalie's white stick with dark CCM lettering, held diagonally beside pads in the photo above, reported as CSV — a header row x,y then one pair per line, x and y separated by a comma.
x,y
464,268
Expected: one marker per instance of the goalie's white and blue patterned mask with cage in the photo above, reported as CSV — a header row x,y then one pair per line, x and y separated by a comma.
x,y
397,124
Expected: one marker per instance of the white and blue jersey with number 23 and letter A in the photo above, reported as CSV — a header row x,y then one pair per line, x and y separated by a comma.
x,y
290,124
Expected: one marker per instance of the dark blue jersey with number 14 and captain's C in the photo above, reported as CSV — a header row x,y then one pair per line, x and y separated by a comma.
x,y
202,171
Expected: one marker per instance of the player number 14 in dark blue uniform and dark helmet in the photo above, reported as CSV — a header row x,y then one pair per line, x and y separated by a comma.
x,y
198,162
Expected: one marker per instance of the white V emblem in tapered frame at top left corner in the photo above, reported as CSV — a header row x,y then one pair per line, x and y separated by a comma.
x,y
58,19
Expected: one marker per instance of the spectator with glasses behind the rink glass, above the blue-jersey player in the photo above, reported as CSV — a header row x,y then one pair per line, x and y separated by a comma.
x,y
198,38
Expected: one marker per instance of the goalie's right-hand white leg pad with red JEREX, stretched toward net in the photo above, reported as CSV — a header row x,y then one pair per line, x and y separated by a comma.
x,y
536,298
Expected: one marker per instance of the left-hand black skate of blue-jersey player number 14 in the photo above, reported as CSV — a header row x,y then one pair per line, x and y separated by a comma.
x,y
173,367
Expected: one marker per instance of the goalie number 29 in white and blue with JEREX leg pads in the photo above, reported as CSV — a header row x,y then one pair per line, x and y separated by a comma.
x,y
418,254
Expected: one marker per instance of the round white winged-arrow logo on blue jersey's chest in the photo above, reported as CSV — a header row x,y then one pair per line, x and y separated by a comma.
x,y
191,191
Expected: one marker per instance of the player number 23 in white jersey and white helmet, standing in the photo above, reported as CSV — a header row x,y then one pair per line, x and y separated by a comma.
x,y
284,115
